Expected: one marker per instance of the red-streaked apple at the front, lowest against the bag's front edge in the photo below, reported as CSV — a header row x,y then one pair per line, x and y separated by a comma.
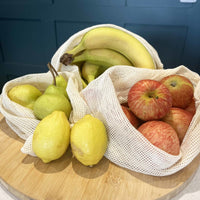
x,y
162,135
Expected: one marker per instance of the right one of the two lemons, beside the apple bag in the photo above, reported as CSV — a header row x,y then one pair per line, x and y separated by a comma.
x,y
88,140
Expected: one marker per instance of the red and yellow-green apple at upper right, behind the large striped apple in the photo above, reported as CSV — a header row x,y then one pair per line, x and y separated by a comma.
x,y
181,90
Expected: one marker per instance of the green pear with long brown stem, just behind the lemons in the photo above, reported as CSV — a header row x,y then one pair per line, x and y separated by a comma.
x,y
53,99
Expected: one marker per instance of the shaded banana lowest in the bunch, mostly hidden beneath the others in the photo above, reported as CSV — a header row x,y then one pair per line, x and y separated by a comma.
x,y
91,71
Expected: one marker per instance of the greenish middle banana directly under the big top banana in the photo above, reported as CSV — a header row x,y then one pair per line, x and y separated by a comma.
x,y
102,57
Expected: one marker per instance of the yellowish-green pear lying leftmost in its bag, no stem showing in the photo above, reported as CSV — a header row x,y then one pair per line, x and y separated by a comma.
x,y
24,95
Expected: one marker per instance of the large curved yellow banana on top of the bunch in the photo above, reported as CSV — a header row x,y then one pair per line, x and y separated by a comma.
x,y
118,40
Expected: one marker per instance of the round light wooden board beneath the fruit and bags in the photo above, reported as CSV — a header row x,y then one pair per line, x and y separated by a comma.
x,y
28,178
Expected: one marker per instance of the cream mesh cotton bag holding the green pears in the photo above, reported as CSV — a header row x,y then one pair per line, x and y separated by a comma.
x,y
21,119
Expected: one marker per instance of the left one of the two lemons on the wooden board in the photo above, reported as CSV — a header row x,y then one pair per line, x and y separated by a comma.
x,y
51,137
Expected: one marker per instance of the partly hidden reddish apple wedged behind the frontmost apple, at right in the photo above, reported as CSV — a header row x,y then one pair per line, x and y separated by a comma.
x,y
180,120
